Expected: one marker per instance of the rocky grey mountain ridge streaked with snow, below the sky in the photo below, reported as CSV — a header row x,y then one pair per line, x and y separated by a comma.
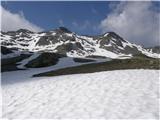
x,y
63,41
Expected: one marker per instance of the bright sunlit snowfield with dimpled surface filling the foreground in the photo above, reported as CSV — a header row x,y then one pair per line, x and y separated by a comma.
x,y
126,94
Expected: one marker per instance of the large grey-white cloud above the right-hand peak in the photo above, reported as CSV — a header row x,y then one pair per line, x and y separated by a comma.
x,y
135,21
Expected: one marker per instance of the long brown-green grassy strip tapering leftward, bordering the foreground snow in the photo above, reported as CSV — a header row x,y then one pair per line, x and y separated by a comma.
x,y
138,62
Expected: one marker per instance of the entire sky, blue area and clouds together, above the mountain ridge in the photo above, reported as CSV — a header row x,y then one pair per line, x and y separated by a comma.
x,y
138,22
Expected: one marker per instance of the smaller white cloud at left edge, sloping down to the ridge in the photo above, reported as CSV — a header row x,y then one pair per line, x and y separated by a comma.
x,y
14,21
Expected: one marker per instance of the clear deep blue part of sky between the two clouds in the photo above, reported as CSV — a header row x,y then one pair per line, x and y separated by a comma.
x,y
82,17
